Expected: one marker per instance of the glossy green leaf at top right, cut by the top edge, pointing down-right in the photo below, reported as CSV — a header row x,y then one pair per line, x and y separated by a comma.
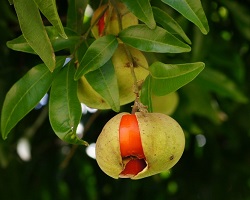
x,y
192,10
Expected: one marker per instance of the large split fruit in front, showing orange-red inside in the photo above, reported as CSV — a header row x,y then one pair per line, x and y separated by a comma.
x,y
139,145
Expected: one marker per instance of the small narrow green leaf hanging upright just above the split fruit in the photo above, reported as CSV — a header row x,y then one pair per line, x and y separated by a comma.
x,y
146,93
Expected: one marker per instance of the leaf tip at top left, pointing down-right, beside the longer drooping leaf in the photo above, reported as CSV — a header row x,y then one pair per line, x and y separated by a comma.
x,y
48,8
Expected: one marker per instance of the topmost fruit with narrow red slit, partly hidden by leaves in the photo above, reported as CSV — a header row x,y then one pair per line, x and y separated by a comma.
x,y
128,19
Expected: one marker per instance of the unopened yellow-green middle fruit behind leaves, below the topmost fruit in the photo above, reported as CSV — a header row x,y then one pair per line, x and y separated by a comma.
x,y
120,60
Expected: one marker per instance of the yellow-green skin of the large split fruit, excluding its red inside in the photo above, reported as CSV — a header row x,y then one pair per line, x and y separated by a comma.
x,y
163,143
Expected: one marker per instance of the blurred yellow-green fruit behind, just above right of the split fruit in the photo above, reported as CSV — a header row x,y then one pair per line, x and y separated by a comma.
x,y
166,104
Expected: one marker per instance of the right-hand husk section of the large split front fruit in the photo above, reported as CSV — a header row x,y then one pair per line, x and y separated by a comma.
x,y
163,142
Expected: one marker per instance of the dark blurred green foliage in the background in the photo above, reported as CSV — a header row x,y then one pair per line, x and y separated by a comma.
x,y
214,107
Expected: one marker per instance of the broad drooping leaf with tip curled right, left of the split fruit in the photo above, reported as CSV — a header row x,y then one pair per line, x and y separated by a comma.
x,y
64,107
